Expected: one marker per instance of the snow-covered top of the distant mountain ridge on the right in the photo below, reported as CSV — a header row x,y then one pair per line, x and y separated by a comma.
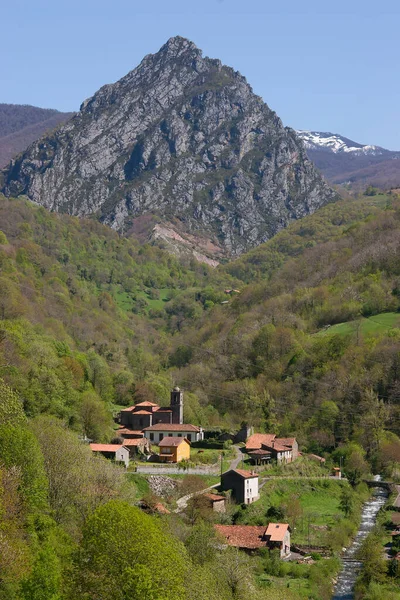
x,y
333,142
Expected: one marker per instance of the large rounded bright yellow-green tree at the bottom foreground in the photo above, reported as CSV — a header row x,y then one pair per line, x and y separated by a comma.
x,y
120,545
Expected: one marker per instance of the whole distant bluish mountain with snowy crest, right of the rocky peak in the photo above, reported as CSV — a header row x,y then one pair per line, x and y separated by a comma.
x,y
343,161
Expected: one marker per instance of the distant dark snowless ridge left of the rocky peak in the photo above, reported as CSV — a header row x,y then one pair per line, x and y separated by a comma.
x,y
22,124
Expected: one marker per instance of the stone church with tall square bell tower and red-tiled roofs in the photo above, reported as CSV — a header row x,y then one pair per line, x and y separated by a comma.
x,y
147,414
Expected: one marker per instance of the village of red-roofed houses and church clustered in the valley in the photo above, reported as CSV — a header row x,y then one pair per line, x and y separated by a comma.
x,y
154,440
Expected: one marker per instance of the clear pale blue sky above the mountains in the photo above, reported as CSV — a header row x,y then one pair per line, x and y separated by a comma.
x,y
320,64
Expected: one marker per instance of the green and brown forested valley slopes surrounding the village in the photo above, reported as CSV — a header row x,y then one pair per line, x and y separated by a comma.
x,y
300,336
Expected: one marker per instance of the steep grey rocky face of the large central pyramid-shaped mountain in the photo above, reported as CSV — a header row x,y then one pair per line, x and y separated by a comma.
x,y
180,136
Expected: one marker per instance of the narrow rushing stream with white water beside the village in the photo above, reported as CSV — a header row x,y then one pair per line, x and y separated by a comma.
x,y
344,589
